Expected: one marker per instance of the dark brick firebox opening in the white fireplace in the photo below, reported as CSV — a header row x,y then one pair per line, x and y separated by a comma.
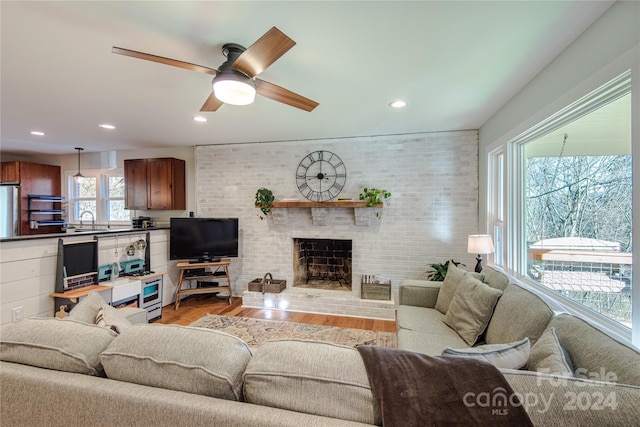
x,y
322,264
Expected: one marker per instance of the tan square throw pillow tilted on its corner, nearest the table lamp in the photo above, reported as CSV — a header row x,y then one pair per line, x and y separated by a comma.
x,y
471,308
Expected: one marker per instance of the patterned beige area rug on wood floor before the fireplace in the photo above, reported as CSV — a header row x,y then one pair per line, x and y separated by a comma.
x,y
256,331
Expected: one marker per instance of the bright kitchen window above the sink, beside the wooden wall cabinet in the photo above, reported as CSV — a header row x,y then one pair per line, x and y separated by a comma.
x,y
98,197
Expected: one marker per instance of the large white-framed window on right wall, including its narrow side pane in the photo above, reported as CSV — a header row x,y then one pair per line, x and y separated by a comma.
x,y
570,187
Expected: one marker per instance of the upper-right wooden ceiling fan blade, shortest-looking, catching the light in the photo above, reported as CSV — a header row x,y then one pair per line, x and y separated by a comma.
x,y
264,52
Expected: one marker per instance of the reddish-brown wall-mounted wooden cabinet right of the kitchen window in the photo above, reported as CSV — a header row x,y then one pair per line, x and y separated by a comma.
x,y
155,184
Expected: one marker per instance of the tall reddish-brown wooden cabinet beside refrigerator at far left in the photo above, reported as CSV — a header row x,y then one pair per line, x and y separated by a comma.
x,y
35,180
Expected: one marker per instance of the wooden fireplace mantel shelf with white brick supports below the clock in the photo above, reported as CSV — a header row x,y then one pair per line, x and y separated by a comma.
x,y
361,211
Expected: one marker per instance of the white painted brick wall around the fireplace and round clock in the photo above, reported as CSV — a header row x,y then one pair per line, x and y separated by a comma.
x,y
433,179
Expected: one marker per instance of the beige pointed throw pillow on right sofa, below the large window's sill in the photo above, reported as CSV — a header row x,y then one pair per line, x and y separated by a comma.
x,y
549,356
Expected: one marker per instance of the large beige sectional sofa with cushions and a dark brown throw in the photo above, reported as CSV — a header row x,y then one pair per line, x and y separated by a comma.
x,y
99,367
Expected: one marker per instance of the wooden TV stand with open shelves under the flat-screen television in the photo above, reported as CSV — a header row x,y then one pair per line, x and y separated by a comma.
x,y
221,270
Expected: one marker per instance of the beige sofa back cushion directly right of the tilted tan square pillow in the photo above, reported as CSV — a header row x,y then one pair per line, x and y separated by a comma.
x,y
518,314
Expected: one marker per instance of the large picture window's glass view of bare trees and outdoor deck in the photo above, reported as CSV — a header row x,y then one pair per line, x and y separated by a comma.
x,y
579,211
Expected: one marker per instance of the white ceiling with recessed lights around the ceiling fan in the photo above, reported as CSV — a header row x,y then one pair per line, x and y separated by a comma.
x,y
455,63
